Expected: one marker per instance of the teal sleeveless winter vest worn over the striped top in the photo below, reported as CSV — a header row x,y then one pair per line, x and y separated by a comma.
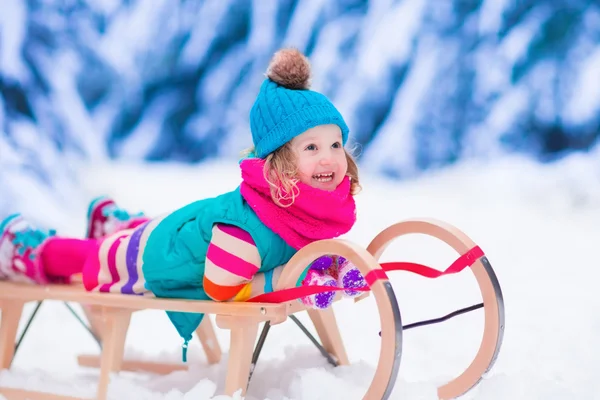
x,y
174,255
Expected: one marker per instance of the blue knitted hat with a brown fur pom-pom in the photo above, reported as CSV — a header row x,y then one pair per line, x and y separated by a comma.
x,y
285,107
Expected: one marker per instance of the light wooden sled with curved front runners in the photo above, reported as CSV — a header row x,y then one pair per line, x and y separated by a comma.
x,y
109,315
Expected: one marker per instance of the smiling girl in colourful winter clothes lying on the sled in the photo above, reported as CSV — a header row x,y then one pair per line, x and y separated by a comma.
x,y
297,187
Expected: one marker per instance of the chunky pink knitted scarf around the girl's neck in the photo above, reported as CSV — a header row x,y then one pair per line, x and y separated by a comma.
x,y
315,214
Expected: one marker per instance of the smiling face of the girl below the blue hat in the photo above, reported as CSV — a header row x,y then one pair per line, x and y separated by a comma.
x,y
321,158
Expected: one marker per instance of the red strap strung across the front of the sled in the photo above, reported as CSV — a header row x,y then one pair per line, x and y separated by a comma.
x,y
285,295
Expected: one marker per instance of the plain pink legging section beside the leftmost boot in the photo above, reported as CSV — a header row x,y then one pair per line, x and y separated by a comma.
x,y
64,257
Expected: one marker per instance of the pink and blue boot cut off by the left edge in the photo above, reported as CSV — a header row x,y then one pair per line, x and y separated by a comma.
x,y
20,249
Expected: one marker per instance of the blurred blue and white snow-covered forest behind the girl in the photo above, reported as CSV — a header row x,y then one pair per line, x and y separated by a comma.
x,y
422,84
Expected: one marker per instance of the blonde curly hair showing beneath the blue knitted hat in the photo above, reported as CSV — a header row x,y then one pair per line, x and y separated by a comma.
x,y
281,173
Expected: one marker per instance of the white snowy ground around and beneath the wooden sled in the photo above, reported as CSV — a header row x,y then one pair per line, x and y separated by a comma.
x,y
538,226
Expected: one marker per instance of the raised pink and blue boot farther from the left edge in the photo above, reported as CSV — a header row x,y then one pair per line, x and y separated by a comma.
x,y
105,218
